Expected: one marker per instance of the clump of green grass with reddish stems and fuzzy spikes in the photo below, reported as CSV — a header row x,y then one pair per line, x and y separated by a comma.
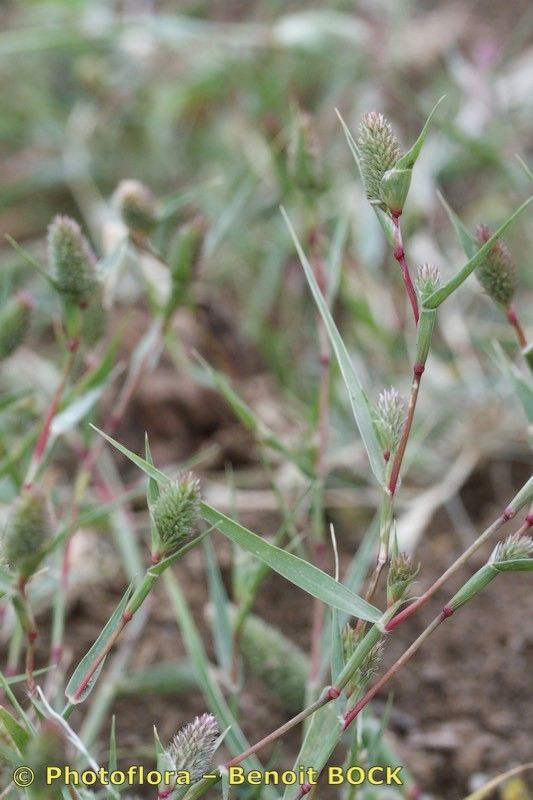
x,y
332,687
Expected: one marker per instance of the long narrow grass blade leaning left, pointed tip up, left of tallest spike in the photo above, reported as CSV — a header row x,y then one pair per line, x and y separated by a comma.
x,y
359,402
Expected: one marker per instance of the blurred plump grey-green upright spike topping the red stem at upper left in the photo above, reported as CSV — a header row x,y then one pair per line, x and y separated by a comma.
x,y
72,260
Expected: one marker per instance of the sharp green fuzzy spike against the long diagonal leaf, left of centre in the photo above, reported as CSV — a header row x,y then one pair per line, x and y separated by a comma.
x,y
176,513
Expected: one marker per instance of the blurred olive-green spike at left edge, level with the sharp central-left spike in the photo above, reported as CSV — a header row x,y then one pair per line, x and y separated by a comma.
x,y
27,531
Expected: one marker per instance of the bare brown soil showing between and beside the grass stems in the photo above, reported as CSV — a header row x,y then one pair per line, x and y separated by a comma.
x,y
463,706
